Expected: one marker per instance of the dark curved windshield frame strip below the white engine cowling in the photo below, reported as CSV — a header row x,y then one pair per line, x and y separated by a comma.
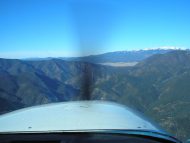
x,y
155,136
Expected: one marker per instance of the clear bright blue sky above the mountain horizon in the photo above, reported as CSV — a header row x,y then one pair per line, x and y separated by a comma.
x,y
64,28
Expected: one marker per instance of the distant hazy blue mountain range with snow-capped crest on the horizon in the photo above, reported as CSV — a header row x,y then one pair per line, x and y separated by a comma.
x,y
113,57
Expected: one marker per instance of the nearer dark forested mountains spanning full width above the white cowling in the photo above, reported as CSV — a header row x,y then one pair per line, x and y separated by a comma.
x,y
157,86
